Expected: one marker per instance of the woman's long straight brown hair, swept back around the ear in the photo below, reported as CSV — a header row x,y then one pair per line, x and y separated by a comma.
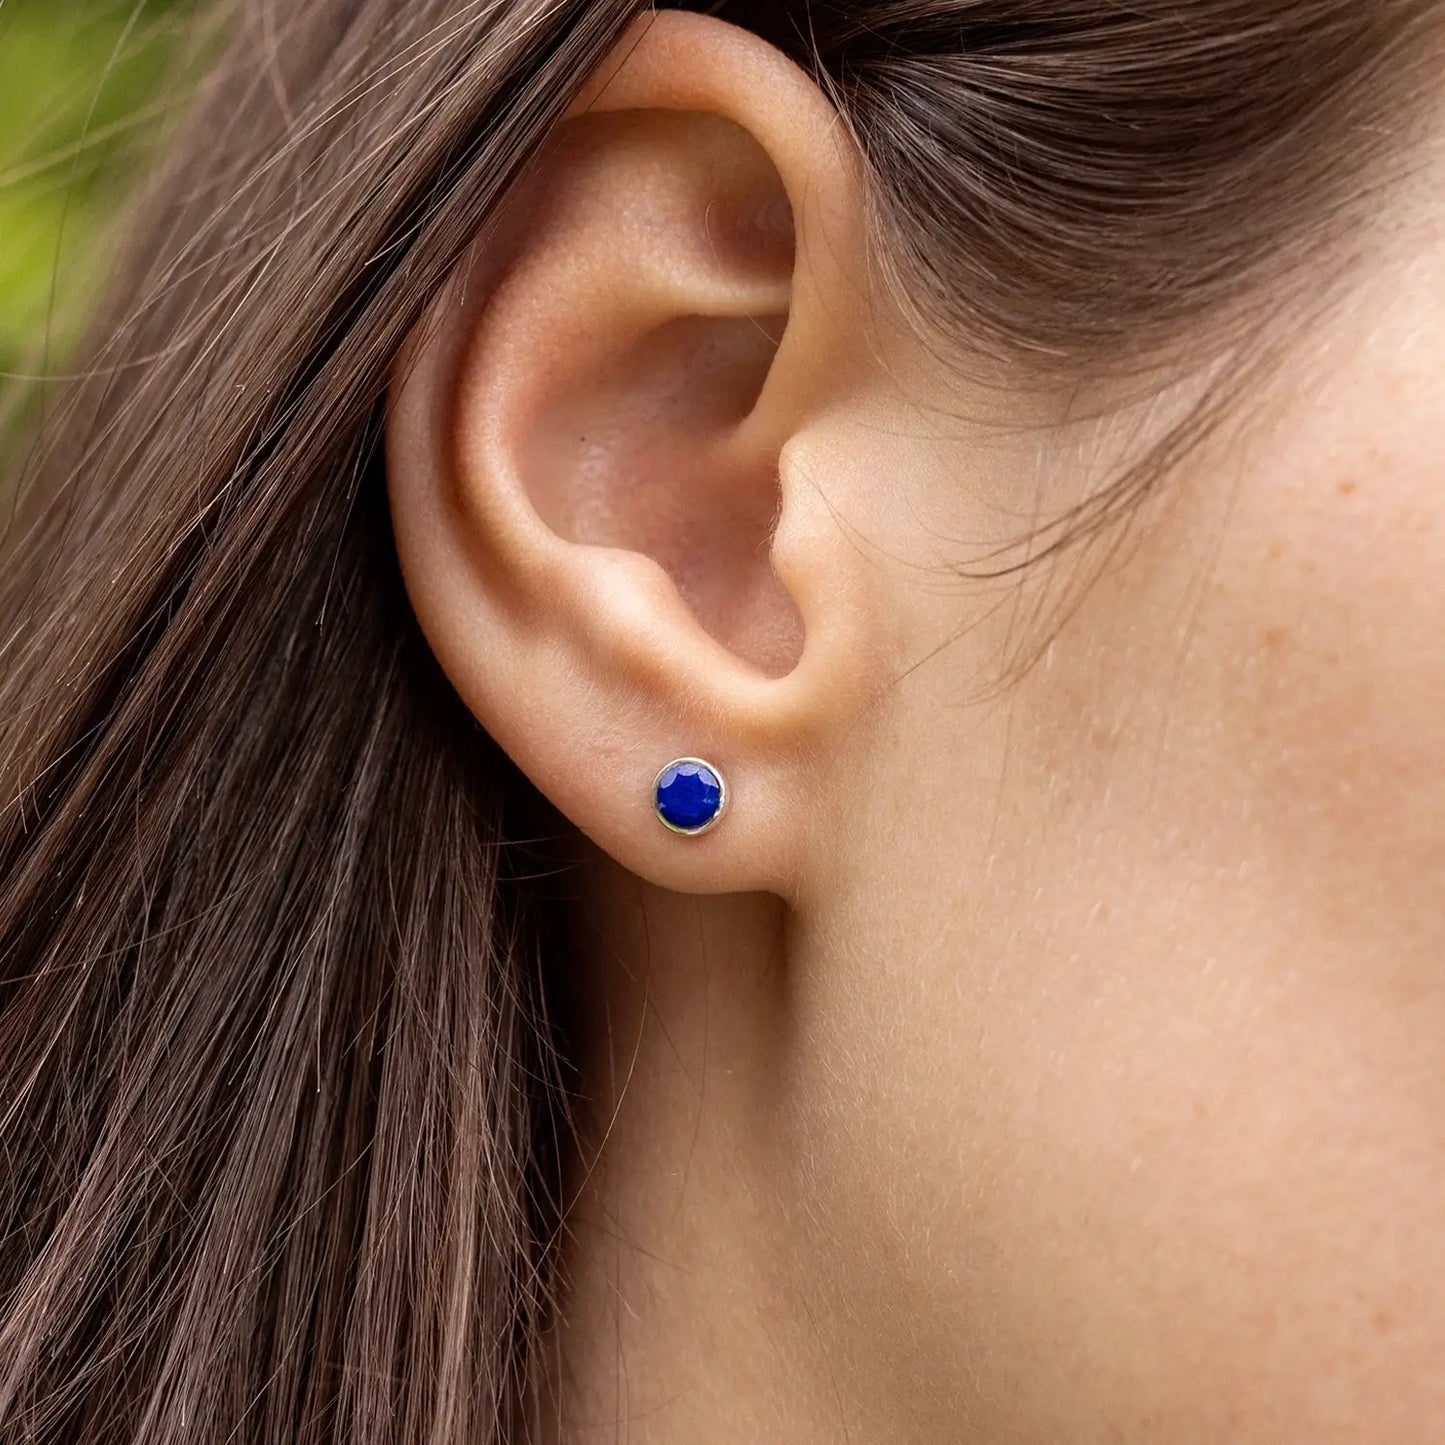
x,y
280,1099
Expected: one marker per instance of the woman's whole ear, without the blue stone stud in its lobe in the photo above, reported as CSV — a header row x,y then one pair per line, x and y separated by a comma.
x,y
609,518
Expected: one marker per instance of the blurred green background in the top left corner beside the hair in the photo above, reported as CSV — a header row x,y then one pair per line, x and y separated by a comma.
x,y
85,90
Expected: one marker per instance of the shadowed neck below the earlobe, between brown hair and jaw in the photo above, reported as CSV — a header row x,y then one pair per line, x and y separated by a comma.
x,y
681,1316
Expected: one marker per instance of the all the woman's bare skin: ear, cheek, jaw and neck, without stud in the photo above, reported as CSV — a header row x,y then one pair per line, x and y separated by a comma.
x,y
1028,1057
